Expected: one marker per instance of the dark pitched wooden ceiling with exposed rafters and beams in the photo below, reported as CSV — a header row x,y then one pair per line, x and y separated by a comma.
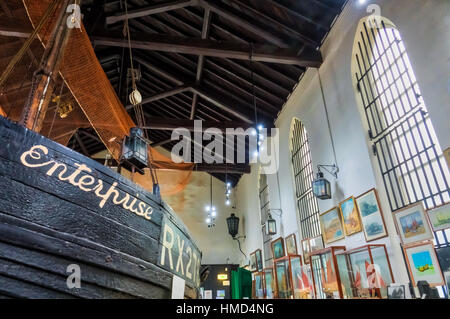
x,y
194,56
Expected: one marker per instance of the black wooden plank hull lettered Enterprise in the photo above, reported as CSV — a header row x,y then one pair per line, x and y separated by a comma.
x,y
59,208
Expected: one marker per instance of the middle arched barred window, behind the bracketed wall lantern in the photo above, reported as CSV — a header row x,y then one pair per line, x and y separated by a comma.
x,y
307,206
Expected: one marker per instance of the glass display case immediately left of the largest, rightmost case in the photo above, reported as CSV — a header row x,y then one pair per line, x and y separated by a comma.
x,y
326,280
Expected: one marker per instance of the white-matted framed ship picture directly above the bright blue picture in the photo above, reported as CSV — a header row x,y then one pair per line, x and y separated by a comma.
x,y
412,224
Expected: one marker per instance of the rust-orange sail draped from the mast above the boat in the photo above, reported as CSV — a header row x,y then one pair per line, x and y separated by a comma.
x,y
99,105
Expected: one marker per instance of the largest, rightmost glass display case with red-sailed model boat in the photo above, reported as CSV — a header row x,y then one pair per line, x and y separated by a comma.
x,y
365,272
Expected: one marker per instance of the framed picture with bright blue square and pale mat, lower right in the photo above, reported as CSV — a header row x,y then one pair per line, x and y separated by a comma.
x,y
423,264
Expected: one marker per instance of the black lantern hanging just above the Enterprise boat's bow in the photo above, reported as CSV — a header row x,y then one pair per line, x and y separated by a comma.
x,y
135,149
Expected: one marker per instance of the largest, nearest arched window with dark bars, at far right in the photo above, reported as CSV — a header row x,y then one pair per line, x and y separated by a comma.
x,y
404,141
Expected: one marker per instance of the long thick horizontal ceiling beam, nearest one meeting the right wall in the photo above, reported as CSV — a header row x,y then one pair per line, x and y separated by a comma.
x,y
232,50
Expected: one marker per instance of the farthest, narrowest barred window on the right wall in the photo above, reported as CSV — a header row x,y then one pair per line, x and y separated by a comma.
x,y
264,205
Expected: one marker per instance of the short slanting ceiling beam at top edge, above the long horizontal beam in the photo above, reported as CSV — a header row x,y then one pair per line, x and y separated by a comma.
x,y
158,8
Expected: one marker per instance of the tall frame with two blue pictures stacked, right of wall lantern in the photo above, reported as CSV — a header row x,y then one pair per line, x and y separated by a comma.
x,y
372,219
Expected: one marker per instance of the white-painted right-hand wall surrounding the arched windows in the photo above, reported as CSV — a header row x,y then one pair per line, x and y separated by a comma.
x,y
424,25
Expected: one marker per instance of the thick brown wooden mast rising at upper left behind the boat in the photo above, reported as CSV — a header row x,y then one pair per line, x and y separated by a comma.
x,y
44,77
